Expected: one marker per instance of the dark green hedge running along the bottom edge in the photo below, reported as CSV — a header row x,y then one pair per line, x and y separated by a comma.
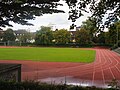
x,y
32,85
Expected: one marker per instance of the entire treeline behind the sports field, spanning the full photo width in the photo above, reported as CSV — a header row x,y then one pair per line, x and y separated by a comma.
x,y
87,35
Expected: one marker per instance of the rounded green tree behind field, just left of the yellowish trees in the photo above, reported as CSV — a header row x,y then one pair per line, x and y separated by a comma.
x,y
44,36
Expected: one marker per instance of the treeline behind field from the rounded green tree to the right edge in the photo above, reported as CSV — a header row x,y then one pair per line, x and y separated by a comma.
x,y
87,35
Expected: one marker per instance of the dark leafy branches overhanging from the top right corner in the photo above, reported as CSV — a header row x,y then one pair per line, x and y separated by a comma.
x,y
98,8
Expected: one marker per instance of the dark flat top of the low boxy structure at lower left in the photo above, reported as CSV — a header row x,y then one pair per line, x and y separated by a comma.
x,y
4,67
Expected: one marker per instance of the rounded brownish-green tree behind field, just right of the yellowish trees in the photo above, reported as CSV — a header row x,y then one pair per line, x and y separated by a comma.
x,y
82,37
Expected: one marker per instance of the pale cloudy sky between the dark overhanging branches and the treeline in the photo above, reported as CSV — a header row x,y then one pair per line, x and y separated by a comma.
x,y
57,20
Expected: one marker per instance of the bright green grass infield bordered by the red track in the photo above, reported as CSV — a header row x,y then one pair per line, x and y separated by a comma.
x,y
48,54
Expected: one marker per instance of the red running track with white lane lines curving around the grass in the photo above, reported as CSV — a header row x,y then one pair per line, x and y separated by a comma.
x,y
105,68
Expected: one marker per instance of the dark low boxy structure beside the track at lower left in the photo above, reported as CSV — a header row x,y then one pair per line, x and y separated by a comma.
x,y
10,72
